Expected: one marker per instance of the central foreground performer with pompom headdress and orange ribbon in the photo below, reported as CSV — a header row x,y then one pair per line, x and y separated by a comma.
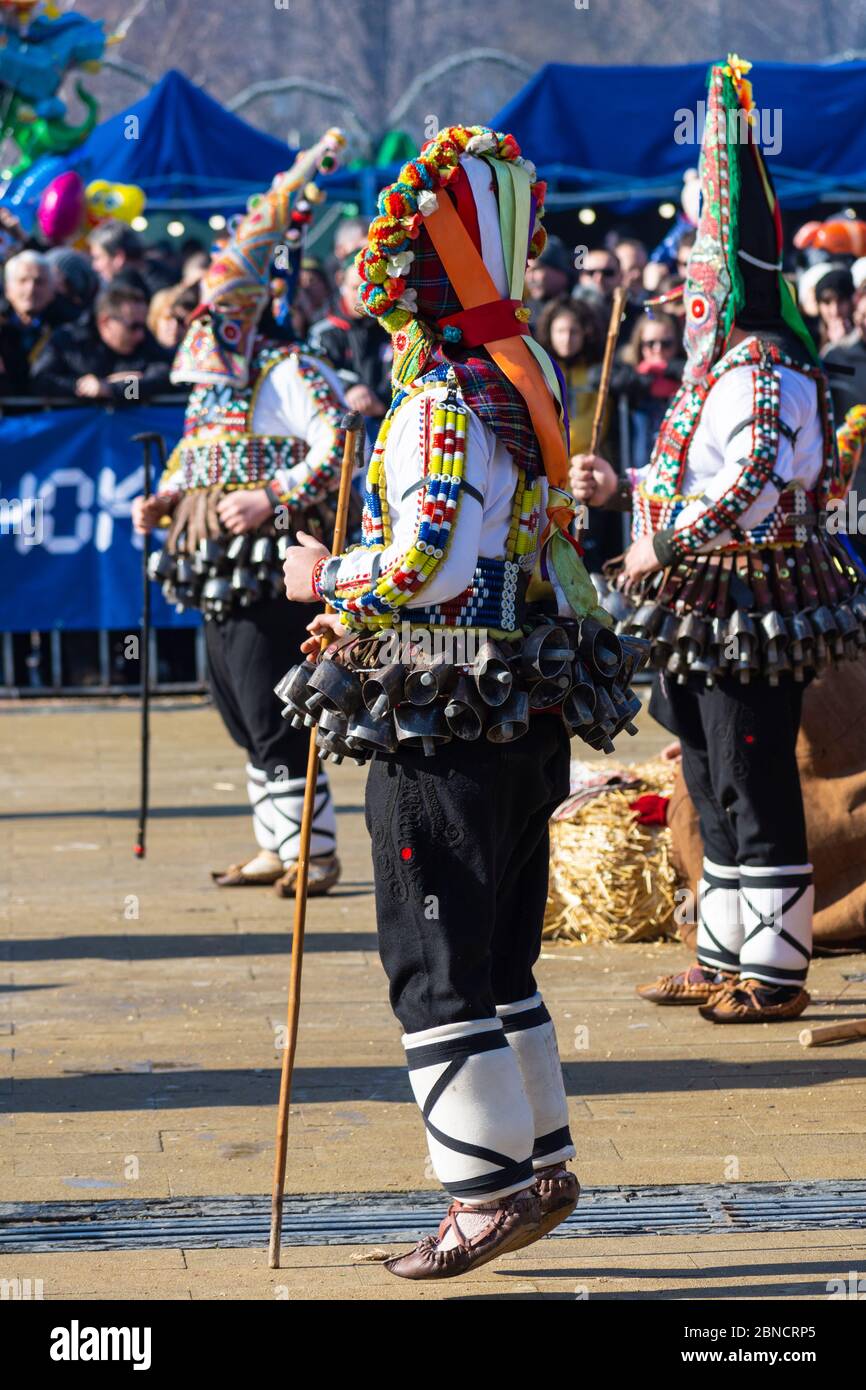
x,y
468,550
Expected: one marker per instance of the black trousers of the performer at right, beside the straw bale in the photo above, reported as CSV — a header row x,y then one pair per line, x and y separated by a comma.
x,y
740,767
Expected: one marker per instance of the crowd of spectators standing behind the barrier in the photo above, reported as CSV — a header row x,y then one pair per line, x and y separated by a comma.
x,y
104,323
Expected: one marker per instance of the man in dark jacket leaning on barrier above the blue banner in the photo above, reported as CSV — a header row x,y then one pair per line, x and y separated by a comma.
x,y
112,357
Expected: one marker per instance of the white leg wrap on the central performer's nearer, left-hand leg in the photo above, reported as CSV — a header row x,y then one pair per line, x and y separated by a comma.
x,y
479,1121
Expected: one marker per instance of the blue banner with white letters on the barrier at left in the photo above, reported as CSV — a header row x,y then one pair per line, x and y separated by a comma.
x,y
69,558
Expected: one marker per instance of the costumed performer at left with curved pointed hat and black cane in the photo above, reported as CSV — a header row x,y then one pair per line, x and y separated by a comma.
x,y
259,462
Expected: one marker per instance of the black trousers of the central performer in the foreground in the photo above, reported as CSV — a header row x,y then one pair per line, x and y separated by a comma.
x,y
461,856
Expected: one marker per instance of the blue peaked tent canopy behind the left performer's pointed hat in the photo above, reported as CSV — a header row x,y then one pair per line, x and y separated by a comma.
x,y
179,145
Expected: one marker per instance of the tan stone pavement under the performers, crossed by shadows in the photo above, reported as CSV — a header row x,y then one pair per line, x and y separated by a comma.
x,y
138,1017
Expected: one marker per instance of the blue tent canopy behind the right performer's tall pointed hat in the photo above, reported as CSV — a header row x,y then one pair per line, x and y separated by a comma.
x,y
612,133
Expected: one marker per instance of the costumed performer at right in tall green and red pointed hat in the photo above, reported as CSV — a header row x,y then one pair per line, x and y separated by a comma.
x,y
743,589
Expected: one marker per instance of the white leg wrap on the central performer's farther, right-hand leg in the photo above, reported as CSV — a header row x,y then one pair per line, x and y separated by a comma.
x,y
533,1039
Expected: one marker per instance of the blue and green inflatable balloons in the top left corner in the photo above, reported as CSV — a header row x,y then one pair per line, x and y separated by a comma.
x,y
38,48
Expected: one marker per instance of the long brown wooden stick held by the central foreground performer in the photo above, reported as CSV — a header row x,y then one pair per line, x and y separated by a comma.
x,y
352,425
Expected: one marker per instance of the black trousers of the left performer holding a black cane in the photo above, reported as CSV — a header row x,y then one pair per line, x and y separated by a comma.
x,y
247,655
